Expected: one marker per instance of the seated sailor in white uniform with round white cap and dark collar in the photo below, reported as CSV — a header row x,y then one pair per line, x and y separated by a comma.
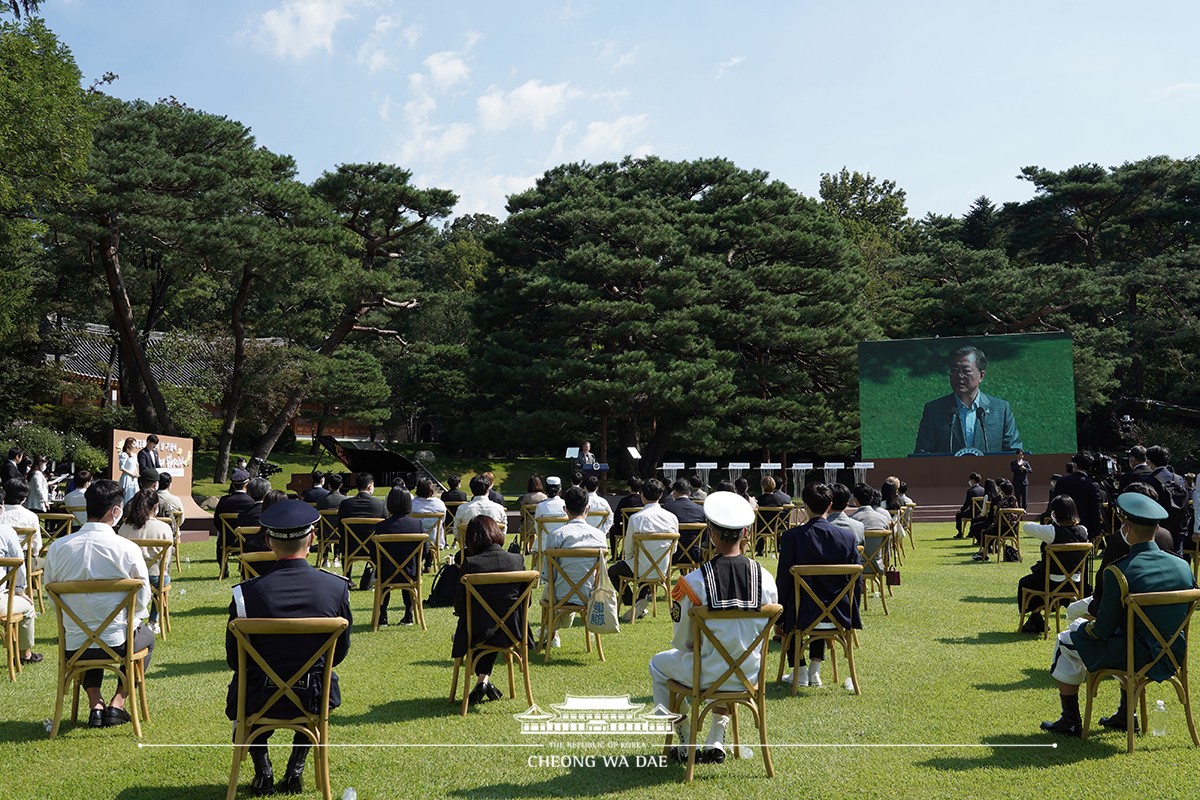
x,y
740,584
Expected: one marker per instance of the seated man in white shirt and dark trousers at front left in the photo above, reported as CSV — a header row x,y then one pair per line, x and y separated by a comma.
x,y
97,554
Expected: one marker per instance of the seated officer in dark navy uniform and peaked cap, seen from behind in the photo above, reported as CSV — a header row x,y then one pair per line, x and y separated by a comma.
x,y
292,590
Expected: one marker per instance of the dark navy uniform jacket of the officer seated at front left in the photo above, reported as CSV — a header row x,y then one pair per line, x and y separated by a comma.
x,y
293,590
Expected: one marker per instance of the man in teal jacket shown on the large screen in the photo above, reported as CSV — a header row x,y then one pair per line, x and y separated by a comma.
x,y
967,422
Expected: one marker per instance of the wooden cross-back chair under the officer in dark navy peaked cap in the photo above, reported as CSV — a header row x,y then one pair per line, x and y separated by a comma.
x,y
314,725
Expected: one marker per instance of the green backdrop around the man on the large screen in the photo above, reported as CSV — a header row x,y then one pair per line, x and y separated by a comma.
x,y
1034,372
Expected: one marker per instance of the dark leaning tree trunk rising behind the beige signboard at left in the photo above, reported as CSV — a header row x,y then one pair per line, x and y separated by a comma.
x,y
148,402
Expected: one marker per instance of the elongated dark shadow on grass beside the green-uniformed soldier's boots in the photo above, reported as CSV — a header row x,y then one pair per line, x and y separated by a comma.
x,y
1065,751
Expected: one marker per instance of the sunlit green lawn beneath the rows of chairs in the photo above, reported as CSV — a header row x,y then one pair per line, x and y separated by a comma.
x,y
944,679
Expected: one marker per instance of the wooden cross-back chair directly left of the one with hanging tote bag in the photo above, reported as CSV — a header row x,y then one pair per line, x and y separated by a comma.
x,y
512,623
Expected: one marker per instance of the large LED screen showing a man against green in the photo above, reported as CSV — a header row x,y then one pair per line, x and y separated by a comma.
x,y
968,395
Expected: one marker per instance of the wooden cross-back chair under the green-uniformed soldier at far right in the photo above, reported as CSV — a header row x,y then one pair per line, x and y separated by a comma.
x,y
1135,679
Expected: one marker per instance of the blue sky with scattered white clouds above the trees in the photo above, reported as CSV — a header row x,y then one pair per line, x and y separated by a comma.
x,y
950,100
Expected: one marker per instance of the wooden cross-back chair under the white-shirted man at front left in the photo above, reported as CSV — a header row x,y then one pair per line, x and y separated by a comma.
x,y
130,669
